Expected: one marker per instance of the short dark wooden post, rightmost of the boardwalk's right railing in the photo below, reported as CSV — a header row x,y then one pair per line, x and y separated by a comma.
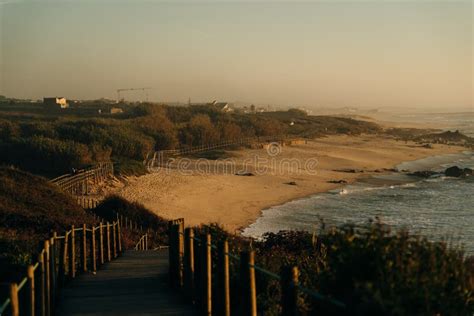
x,y
289,289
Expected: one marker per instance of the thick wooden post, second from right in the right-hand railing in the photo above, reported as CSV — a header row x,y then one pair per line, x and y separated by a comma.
x,y
247,283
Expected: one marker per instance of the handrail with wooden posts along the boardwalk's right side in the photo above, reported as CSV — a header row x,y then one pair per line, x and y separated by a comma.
x,y
181,272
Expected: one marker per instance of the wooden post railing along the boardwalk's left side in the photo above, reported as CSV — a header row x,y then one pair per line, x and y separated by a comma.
x,y
37,292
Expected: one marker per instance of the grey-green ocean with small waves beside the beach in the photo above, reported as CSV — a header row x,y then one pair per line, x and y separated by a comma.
x,y
440,208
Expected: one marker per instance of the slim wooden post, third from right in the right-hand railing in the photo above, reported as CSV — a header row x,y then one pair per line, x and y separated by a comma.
x,y
223,278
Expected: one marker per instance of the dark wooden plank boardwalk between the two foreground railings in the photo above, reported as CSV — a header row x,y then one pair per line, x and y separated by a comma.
x,y
134,284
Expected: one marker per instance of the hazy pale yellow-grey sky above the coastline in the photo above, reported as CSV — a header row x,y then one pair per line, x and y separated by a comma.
x,y
353,53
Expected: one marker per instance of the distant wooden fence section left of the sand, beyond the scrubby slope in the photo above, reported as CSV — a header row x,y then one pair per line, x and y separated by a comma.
x,y
78,183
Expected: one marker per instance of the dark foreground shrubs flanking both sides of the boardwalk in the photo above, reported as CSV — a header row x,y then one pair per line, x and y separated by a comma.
x,y
371,269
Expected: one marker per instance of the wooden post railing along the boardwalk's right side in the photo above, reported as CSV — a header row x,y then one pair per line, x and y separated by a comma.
x,y
185,249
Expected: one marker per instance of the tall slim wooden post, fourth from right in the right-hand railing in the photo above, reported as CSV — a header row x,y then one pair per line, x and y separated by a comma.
x,y
206,274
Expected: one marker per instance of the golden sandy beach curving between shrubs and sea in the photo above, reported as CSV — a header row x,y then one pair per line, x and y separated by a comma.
x,y
279,175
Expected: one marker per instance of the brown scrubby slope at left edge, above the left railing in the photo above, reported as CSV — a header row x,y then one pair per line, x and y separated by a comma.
x,y
30,209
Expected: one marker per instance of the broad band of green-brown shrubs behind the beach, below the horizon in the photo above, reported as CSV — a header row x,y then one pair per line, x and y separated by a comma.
x,y
51,143
